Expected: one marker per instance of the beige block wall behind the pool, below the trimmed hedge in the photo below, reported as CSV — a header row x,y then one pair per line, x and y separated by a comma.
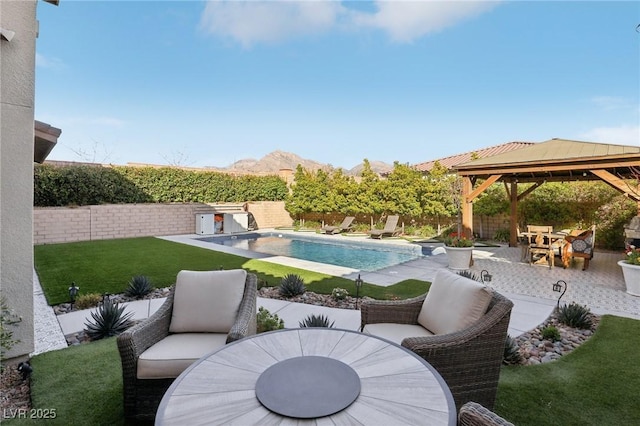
x,y
102,222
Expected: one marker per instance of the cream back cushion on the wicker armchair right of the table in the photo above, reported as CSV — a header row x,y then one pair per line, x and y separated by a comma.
x,y
453,303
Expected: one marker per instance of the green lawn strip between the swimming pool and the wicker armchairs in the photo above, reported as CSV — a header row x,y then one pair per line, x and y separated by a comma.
x,y
107,266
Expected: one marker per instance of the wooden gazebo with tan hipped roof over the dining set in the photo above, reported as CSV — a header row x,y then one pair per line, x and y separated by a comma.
x,y
556,160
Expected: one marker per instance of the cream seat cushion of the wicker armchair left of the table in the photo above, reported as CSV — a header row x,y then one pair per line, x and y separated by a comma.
x,y
173,354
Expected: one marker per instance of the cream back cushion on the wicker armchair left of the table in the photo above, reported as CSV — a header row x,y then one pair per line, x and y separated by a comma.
x,y
206,301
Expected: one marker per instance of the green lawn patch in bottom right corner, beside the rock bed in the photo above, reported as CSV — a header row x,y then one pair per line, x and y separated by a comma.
x,y
597,384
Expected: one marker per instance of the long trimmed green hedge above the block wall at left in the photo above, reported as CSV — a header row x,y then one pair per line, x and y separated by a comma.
x,y
86,185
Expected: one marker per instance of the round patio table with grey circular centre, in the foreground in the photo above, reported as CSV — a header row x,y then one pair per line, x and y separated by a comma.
x,y
310,376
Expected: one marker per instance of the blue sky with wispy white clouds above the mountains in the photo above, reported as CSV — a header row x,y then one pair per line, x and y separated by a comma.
x,y
209,83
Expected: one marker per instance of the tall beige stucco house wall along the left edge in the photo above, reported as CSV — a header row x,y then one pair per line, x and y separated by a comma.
x,y
17,80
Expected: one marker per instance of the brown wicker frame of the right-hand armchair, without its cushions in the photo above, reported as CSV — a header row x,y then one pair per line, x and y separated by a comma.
x,y
469,360
